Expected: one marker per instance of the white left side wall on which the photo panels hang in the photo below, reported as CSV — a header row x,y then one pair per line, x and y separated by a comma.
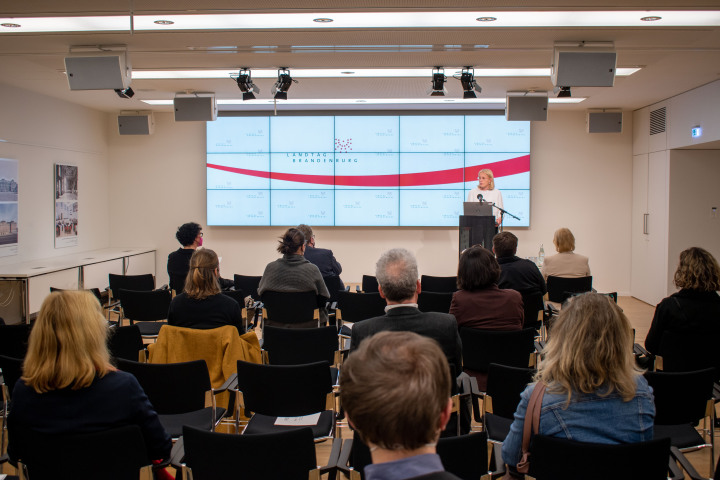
x,y
40,131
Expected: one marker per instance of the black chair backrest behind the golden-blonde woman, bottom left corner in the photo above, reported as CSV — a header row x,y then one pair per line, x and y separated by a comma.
x,y
115,454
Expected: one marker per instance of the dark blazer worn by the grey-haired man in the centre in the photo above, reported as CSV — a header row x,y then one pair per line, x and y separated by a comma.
x,y
441,327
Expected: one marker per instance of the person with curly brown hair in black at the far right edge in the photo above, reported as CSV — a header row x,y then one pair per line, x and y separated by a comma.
x,y
695,308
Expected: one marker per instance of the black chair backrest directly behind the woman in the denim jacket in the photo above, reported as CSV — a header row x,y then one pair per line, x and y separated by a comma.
x,y
562,459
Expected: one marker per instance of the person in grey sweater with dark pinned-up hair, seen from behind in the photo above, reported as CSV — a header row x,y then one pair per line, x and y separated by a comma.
x,y
293,272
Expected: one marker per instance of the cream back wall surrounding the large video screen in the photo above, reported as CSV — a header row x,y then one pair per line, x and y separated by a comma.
x,y
578,180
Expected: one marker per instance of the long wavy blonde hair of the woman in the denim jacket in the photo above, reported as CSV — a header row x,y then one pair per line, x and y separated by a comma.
x,y
590,347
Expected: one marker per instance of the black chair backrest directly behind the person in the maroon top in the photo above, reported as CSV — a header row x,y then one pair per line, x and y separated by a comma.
x,y
483,347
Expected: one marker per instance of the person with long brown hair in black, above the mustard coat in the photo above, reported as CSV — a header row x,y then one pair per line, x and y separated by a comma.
x,y
202,304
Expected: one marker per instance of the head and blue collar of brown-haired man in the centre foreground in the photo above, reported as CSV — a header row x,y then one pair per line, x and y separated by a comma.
x,y
395,389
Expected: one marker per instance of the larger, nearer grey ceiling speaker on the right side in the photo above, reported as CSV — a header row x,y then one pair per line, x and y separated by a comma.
x,y
583,67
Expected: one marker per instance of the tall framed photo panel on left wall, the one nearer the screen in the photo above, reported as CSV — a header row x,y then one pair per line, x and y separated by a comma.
x,y
66,206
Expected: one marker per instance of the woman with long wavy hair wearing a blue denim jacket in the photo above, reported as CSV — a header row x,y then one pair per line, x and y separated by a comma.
x,y
595,393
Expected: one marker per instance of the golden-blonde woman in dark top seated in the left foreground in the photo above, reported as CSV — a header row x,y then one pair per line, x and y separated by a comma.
x,y
68,384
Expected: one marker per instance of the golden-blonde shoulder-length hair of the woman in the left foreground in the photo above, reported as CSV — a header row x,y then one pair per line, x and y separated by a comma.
x,y
68,343
